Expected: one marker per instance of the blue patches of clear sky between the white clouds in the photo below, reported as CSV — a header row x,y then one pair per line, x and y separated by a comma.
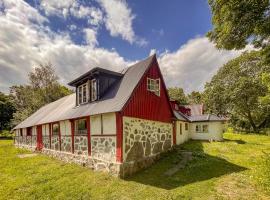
x,y
164,26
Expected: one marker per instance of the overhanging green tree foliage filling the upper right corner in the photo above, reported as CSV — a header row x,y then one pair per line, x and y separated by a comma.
x,y
236,23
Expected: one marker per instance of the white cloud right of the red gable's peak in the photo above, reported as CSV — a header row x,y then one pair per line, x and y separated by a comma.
x,y
193,64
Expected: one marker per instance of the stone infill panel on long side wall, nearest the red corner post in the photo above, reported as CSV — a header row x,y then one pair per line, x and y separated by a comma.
x,y
104,147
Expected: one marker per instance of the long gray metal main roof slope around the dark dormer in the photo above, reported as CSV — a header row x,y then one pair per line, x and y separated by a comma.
x,y
113,101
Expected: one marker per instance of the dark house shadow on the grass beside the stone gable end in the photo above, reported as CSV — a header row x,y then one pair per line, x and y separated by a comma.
x,y
202,167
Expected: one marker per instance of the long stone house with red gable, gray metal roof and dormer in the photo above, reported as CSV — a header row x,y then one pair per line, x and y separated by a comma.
x,y
116,121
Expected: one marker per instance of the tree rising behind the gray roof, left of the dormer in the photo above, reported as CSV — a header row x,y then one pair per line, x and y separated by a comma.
x,y
43,89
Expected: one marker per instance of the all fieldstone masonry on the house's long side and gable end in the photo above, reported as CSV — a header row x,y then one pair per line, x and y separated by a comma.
x,y
143,141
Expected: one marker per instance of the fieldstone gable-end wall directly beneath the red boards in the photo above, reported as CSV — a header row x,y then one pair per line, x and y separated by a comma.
x,y
145,138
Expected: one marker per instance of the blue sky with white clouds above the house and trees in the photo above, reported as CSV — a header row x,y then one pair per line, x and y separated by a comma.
x,y
77,35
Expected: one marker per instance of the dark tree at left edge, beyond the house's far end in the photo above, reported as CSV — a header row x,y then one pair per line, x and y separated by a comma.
x,y
6,111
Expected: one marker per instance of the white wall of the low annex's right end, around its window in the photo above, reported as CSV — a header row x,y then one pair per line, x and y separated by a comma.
x,y
215,131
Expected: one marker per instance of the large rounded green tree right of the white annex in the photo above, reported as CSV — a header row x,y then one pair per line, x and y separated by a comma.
x,y
236,88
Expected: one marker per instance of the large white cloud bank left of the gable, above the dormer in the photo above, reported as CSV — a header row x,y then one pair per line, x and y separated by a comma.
x,y
24,45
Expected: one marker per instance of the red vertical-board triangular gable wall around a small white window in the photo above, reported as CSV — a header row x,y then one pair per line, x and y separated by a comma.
x,y
145,104
